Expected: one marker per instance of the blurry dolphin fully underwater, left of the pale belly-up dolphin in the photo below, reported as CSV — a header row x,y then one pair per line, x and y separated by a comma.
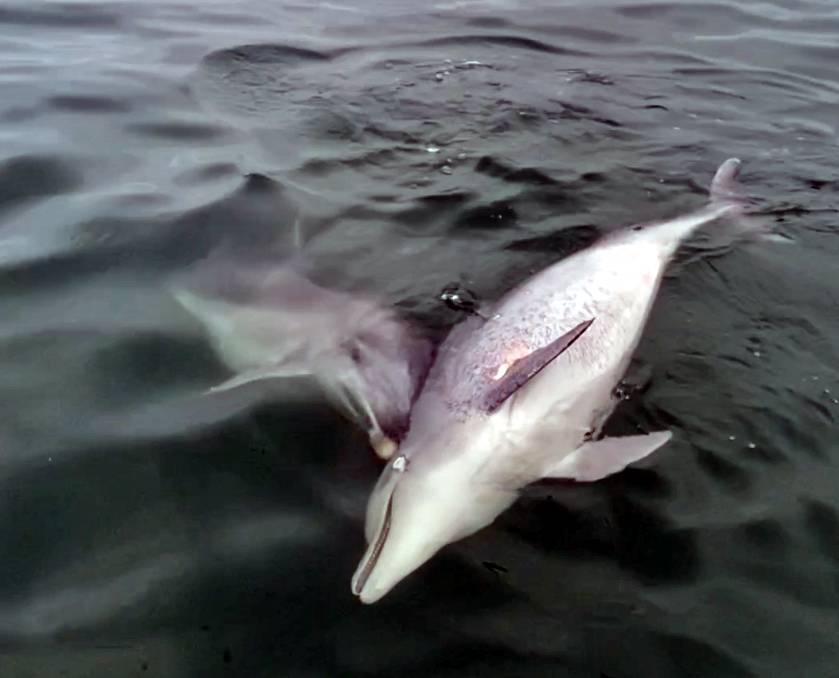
x,y
269,321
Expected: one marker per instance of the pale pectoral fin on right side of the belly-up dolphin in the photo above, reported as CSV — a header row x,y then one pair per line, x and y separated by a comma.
x,y
597,459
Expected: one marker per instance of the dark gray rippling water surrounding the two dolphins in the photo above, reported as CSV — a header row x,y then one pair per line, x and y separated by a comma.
x,y
147,530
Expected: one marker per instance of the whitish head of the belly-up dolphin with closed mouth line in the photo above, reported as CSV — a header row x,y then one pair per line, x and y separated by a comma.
x,y
420,504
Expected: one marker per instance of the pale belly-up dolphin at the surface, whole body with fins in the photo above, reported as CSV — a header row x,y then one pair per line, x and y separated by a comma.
x,y
521,392
